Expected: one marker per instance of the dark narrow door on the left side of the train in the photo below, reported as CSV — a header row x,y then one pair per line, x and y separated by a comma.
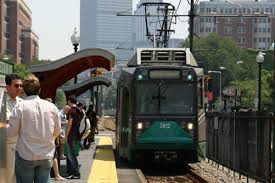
x,y
124,122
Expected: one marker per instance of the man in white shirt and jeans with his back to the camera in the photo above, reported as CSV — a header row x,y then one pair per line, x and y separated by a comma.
x,y
37,124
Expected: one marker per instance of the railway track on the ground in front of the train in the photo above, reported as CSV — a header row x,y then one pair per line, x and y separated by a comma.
x,y
178,176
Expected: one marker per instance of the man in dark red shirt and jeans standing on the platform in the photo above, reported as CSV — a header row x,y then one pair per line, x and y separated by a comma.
x,y
71,137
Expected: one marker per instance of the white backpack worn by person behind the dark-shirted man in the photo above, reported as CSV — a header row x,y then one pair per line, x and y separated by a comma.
x,y
83,126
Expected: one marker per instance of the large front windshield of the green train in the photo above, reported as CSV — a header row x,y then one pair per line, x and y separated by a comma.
x,y
165,98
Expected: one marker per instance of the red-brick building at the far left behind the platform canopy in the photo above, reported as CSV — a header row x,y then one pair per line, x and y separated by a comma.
x,y
17,37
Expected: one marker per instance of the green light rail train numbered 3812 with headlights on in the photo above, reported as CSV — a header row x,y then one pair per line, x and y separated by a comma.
x,y
160,106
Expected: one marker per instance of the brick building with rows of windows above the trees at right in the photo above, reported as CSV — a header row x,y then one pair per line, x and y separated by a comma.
x,y
252,26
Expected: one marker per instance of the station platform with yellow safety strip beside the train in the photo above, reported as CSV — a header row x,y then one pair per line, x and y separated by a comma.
x,y
97,164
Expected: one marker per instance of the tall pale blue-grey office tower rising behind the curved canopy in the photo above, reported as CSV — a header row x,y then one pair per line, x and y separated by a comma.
x,y
101,27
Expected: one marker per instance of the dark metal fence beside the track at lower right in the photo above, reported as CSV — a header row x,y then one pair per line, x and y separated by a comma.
x,y
241,141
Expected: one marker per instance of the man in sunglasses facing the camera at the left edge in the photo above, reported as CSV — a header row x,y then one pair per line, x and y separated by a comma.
x,y
14,87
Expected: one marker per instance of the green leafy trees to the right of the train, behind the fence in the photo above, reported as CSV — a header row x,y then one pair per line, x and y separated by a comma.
x,y
214,51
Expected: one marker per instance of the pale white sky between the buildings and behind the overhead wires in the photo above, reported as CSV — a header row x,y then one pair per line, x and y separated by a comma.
x,y
54,22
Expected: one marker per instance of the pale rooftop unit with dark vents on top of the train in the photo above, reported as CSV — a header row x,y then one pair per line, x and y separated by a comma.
x,y
162,56
